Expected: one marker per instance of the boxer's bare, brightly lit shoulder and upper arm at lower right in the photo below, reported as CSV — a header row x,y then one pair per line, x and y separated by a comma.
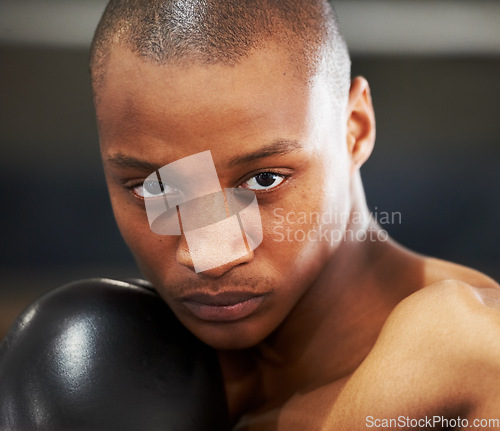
x,y
438,354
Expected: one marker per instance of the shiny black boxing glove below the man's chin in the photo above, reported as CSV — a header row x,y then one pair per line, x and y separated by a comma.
x,y
107,355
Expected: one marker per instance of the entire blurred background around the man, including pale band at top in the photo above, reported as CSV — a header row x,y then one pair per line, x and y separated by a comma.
x,y
434,70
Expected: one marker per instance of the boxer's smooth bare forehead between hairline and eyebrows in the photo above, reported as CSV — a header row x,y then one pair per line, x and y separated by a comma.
x,y
186,108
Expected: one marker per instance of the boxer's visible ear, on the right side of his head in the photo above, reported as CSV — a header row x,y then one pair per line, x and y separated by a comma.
x,y
360,123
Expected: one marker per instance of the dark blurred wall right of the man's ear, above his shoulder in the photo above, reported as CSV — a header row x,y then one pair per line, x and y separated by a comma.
x,y
437,156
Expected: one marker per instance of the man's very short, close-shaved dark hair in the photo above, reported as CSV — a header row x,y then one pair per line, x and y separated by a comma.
x,y
222,31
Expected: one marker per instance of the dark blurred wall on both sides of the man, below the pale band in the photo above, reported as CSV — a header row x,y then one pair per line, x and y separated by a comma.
x,y
436,163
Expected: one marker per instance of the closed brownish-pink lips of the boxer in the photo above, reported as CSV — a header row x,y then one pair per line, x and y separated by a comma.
x,y
222,307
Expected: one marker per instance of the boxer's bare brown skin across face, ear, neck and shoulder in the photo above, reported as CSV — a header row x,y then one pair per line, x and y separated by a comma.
x,y
341,322
